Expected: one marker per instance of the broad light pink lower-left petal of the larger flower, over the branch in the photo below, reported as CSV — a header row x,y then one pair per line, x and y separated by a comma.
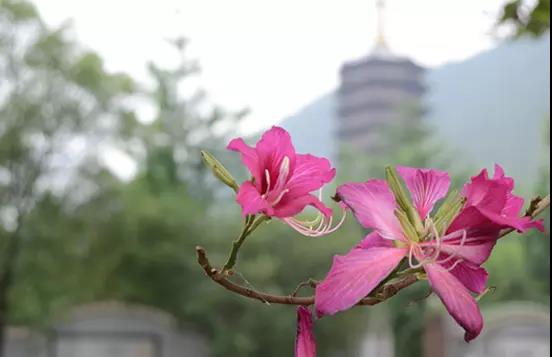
x,y
353,276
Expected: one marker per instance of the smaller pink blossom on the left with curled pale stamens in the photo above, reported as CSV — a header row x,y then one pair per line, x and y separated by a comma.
x,y
283,182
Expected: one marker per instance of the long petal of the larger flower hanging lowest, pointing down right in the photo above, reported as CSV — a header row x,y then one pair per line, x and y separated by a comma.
x,y
457,299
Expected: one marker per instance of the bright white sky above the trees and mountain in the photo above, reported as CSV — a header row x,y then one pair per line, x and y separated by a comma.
x,y
273,56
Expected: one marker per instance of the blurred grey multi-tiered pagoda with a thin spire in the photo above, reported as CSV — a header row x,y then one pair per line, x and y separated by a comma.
x,y
372,91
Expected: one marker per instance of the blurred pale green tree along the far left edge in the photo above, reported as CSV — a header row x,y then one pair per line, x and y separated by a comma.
x,y
54,95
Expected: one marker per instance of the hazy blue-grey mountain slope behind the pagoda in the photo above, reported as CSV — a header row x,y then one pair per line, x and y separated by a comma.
x,y
490,108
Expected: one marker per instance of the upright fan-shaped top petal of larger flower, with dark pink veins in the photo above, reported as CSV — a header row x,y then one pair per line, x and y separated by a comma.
x,y
427,186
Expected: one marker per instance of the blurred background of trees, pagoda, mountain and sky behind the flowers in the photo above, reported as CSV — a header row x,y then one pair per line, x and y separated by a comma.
x,y
103,111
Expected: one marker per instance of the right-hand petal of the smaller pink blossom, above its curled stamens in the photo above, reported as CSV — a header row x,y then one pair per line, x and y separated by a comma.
x,y
310,174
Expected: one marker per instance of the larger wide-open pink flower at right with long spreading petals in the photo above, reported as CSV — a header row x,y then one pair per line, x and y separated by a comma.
x,y
451,258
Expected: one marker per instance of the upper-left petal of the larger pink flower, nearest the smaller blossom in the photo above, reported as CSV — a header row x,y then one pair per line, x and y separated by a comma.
x,y
374,206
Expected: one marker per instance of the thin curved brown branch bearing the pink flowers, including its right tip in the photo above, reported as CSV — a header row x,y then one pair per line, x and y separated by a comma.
x,y
538,206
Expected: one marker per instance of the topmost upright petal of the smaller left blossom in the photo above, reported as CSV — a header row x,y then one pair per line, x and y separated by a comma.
x,y
272,150
